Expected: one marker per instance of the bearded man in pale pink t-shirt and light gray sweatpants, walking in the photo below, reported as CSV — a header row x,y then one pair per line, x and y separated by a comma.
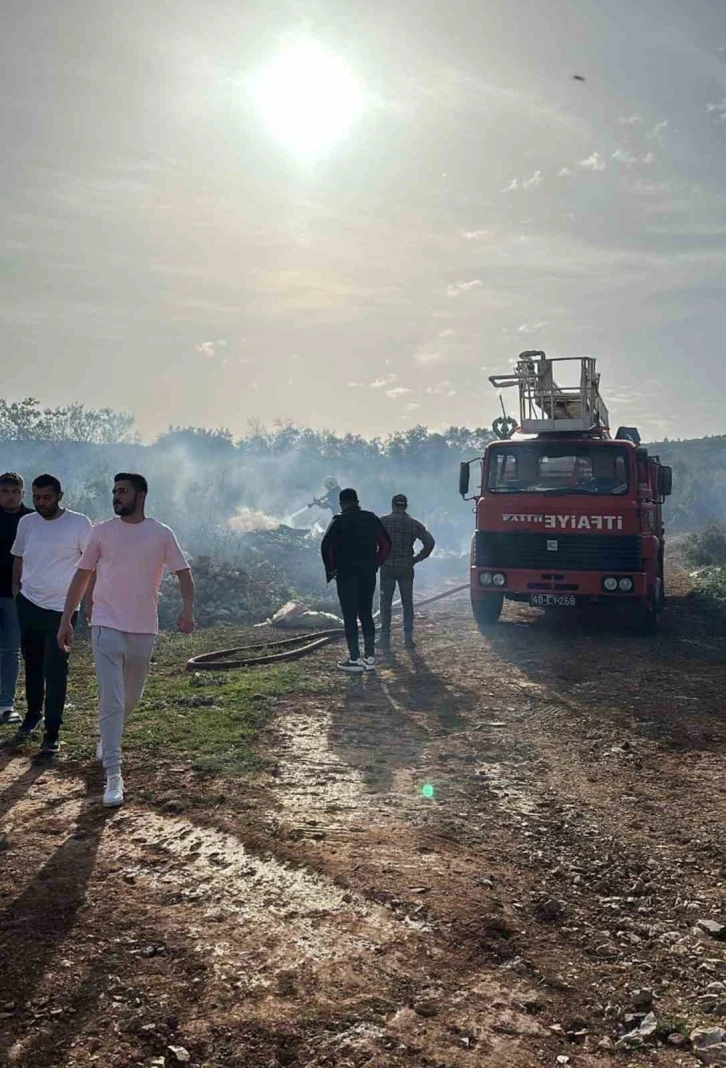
x,y
129,555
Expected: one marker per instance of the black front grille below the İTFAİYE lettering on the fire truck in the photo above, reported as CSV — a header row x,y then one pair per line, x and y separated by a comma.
x,y
573,553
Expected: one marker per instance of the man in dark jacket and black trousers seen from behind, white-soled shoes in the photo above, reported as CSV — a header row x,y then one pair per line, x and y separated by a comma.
x,y
355,546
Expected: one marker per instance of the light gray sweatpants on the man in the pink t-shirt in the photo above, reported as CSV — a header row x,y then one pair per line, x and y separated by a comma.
x,y
122,667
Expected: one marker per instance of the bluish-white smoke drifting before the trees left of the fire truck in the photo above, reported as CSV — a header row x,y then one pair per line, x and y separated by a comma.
x,y
218,495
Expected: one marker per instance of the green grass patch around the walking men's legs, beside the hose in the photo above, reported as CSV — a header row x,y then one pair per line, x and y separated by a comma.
x,y
210,720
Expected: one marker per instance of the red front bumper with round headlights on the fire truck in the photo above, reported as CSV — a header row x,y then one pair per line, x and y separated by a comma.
x,y
565,589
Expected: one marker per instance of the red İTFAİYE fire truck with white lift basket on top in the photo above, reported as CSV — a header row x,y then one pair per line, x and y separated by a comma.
x,y
566,515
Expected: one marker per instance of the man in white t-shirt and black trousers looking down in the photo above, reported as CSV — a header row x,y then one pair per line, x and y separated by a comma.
x,y
49,546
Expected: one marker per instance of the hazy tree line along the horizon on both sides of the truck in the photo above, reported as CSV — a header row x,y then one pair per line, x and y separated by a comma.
x,y
415,461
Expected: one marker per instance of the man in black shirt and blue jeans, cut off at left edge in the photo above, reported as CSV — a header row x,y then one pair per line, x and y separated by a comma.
x,y
12,511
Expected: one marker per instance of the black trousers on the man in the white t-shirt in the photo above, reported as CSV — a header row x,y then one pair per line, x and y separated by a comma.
x,y
46,666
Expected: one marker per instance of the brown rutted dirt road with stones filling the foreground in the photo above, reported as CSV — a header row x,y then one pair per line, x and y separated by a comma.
x,y
329,914
